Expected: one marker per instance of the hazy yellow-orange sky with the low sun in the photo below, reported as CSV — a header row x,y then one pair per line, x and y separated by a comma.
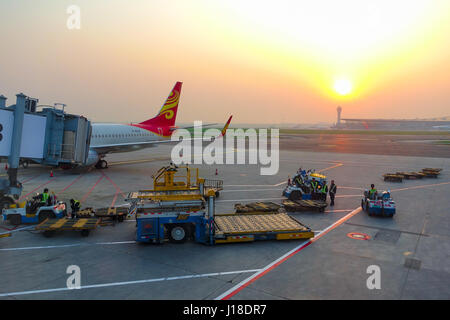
x,y
262,61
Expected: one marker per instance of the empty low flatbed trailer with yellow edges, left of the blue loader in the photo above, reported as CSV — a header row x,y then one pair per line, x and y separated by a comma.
x,y
50,226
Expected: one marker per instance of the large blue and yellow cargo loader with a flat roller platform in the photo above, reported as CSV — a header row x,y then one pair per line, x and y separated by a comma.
x,y
179,210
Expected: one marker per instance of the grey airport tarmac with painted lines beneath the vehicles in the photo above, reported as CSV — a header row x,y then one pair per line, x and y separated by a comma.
x,y
411,249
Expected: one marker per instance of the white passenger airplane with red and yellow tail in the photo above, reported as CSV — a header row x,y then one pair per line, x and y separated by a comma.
x,y
117,138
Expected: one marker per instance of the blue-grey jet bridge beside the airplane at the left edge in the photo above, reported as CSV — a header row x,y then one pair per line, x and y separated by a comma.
x,y
48,136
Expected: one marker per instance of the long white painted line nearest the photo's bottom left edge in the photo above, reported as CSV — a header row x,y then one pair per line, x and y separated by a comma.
x,y
112,284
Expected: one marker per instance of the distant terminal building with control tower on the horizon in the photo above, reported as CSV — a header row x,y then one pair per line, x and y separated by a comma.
x,y
442,123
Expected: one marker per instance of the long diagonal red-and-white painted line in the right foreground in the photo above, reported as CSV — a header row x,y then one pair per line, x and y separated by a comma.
x,y
227,295
